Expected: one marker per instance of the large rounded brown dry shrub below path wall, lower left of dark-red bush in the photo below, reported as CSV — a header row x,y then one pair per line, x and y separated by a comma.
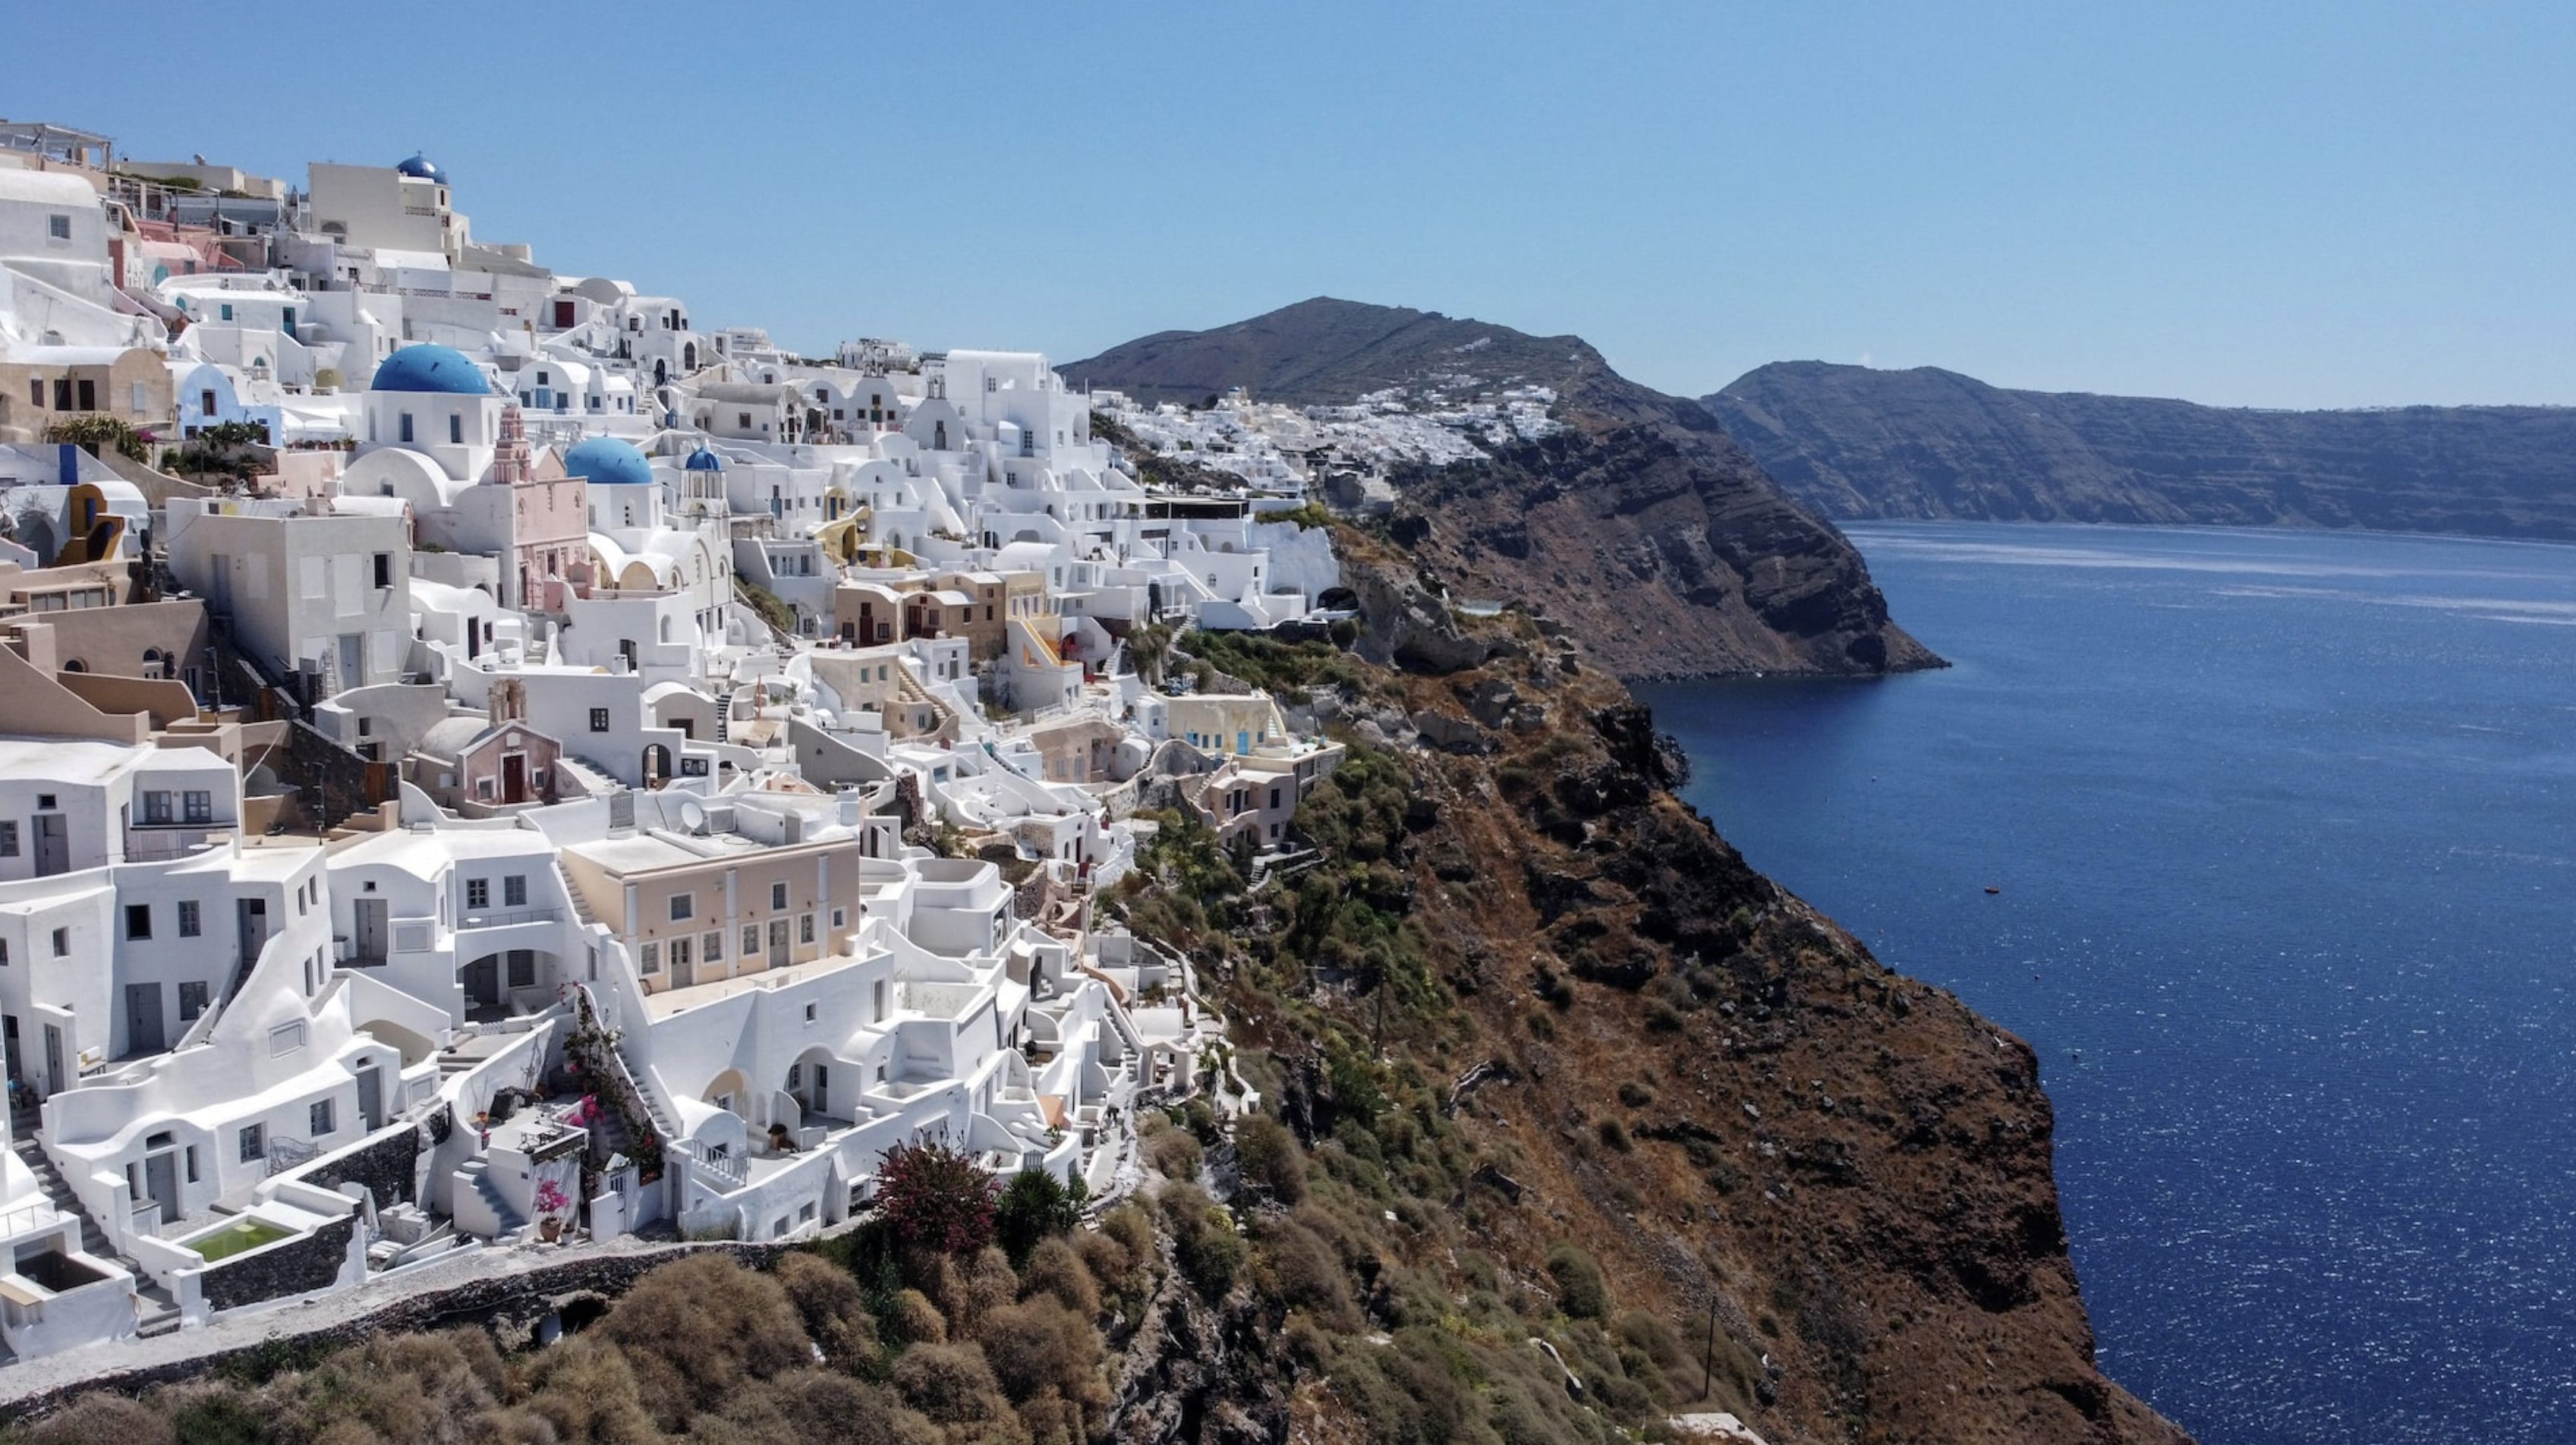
x,y
699,1328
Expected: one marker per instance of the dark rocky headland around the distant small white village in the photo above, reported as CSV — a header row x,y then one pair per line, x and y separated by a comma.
x,y
1640,527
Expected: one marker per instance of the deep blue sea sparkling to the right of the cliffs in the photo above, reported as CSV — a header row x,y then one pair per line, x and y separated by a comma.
x,y
2286,856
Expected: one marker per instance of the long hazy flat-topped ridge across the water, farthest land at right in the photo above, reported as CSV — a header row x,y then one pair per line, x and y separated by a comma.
x,y
1933,444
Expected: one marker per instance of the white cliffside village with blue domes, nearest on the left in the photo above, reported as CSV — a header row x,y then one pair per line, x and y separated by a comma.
x,y
488,764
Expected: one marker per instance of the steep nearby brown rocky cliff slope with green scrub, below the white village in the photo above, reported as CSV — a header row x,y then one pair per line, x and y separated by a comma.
x,y
1573,1078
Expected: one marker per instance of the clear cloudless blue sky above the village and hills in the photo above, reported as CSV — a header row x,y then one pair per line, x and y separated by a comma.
x,y
2242,205
